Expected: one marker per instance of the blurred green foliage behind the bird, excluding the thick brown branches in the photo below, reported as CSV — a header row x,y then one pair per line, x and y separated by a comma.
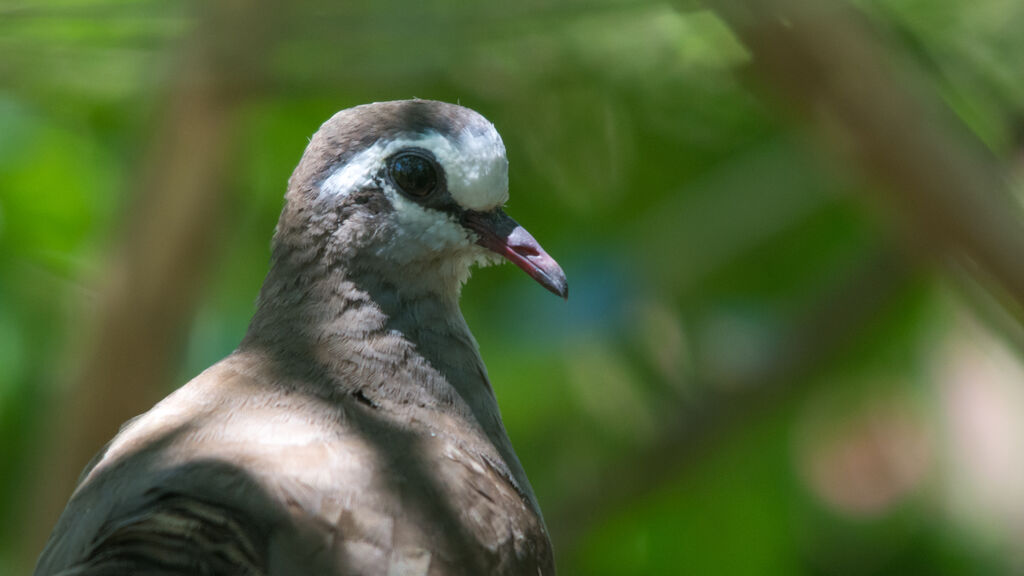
x,y
708,240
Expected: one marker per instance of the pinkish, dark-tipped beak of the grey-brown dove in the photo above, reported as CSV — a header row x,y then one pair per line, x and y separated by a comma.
x,y
497,232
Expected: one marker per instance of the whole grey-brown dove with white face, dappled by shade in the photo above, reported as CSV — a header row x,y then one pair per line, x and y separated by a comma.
x,y
355,430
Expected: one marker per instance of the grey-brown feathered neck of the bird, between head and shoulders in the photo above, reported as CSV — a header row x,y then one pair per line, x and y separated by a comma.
x,y
358,332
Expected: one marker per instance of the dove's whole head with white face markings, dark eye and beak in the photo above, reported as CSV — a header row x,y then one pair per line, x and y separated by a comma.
x,y
411,190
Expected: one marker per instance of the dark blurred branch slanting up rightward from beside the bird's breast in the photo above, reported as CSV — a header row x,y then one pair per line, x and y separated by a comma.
x,y
700,427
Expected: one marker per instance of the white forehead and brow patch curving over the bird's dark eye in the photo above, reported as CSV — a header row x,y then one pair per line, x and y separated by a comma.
x,y
476,168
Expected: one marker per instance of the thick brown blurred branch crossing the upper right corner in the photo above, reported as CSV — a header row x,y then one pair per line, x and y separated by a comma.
x,y
824,59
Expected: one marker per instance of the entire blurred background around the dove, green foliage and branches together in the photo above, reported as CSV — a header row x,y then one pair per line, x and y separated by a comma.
x,y
793,233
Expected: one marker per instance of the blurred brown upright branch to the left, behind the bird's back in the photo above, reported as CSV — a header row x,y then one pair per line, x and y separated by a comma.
x,y
157,272
